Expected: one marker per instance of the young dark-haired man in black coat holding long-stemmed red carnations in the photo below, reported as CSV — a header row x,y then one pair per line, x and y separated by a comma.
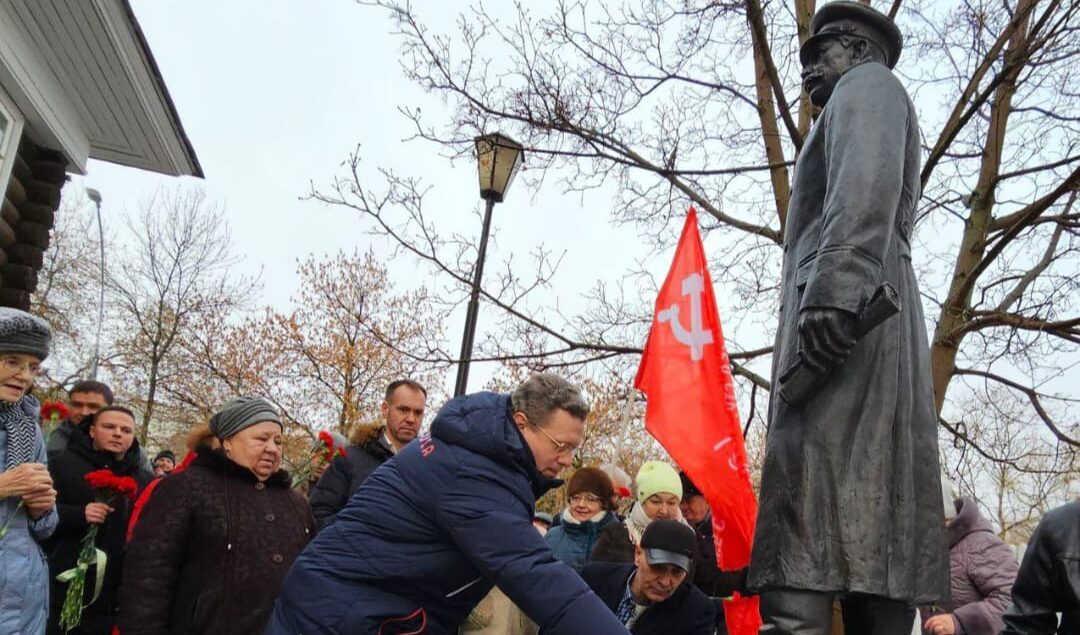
x,y
105,442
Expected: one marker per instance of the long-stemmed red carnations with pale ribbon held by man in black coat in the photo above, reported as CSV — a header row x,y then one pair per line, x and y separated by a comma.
x,y
107,488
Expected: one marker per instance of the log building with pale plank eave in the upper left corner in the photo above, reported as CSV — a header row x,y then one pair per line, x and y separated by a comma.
x,y
77,82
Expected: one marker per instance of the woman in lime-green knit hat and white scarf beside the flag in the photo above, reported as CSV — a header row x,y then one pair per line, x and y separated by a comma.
x,y
659,493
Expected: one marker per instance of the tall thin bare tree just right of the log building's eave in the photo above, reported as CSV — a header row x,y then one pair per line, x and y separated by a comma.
x,y
174,277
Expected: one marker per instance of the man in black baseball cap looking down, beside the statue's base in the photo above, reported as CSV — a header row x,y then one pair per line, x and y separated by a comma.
x,y
653,596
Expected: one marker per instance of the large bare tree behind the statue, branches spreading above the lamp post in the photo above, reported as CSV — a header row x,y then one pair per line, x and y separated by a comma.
x,y
656,99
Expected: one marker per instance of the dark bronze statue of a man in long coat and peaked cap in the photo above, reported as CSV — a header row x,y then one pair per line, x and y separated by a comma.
x,y
850,503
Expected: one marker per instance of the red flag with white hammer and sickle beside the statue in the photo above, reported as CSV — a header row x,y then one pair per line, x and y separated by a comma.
x,y
692,409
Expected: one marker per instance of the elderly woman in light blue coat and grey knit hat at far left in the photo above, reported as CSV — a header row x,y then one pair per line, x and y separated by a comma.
x,y
28,498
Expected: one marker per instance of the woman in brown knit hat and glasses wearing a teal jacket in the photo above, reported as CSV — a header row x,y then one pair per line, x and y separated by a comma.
x,y
589,495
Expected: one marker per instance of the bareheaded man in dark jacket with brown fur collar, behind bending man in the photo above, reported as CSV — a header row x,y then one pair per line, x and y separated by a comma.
x,y
372,445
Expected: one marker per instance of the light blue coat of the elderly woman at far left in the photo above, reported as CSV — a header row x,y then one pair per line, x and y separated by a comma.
x,y
24,575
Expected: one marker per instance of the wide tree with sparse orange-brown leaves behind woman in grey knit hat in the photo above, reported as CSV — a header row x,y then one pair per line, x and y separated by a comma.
x,y
322,363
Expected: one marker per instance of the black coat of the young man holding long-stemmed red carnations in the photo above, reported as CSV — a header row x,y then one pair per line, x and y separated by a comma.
x,y
74,494
